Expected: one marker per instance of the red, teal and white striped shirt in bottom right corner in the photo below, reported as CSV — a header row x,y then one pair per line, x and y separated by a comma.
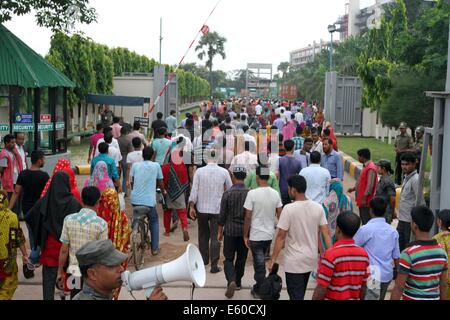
x,y
423,262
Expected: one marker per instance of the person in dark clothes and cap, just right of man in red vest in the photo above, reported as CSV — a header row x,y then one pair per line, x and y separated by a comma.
x,y
386,188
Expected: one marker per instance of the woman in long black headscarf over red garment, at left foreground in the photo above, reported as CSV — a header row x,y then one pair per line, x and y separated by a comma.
x,y
46,220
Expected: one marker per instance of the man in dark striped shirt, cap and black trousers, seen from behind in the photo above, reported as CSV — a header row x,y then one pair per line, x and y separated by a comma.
x,y
231,230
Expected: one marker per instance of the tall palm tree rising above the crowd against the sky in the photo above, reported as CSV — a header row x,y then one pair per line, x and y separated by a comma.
x,y
211,45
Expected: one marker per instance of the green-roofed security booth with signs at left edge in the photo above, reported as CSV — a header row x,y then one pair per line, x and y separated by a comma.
x,y
33,98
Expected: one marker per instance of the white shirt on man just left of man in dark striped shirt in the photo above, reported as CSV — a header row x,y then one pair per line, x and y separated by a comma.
x,y
209,184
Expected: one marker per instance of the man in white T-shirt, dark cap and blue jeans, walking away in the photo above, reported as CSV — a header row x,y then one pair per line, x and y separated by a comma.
x,y
260,206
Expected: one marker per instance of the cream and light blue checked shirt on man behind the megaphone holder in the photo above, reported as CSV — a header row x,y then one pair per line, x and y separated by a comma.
x,y
81,228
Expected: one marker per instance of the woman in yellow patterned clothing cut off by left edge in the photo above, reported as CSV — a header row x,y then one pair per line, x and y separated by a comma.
x,y
11,238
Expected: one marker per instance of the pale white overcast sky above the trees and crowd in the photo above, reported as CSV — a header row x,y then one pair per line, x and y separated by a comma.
x,y
257,31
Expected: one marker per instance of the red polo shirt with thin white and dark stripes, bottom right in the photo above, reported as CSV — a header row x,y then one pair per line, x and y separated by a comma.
x,y
343,271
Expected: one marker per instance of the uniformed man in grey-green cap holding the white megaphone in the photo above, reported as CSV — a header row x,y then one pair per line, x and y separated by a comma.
x,y
101,267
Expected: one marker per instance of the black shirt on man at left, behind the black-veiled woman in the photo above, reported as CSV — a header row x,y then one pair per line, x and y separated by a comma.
x,y
32,182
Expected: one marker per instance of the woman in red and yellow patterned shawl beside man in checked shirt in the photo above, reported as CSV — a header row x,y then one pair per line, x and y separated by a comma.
x,y
119,229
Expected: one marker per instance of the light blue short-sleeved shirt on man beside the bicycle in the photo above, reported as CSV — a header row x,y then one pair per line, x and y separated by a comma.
x,y
145,174
